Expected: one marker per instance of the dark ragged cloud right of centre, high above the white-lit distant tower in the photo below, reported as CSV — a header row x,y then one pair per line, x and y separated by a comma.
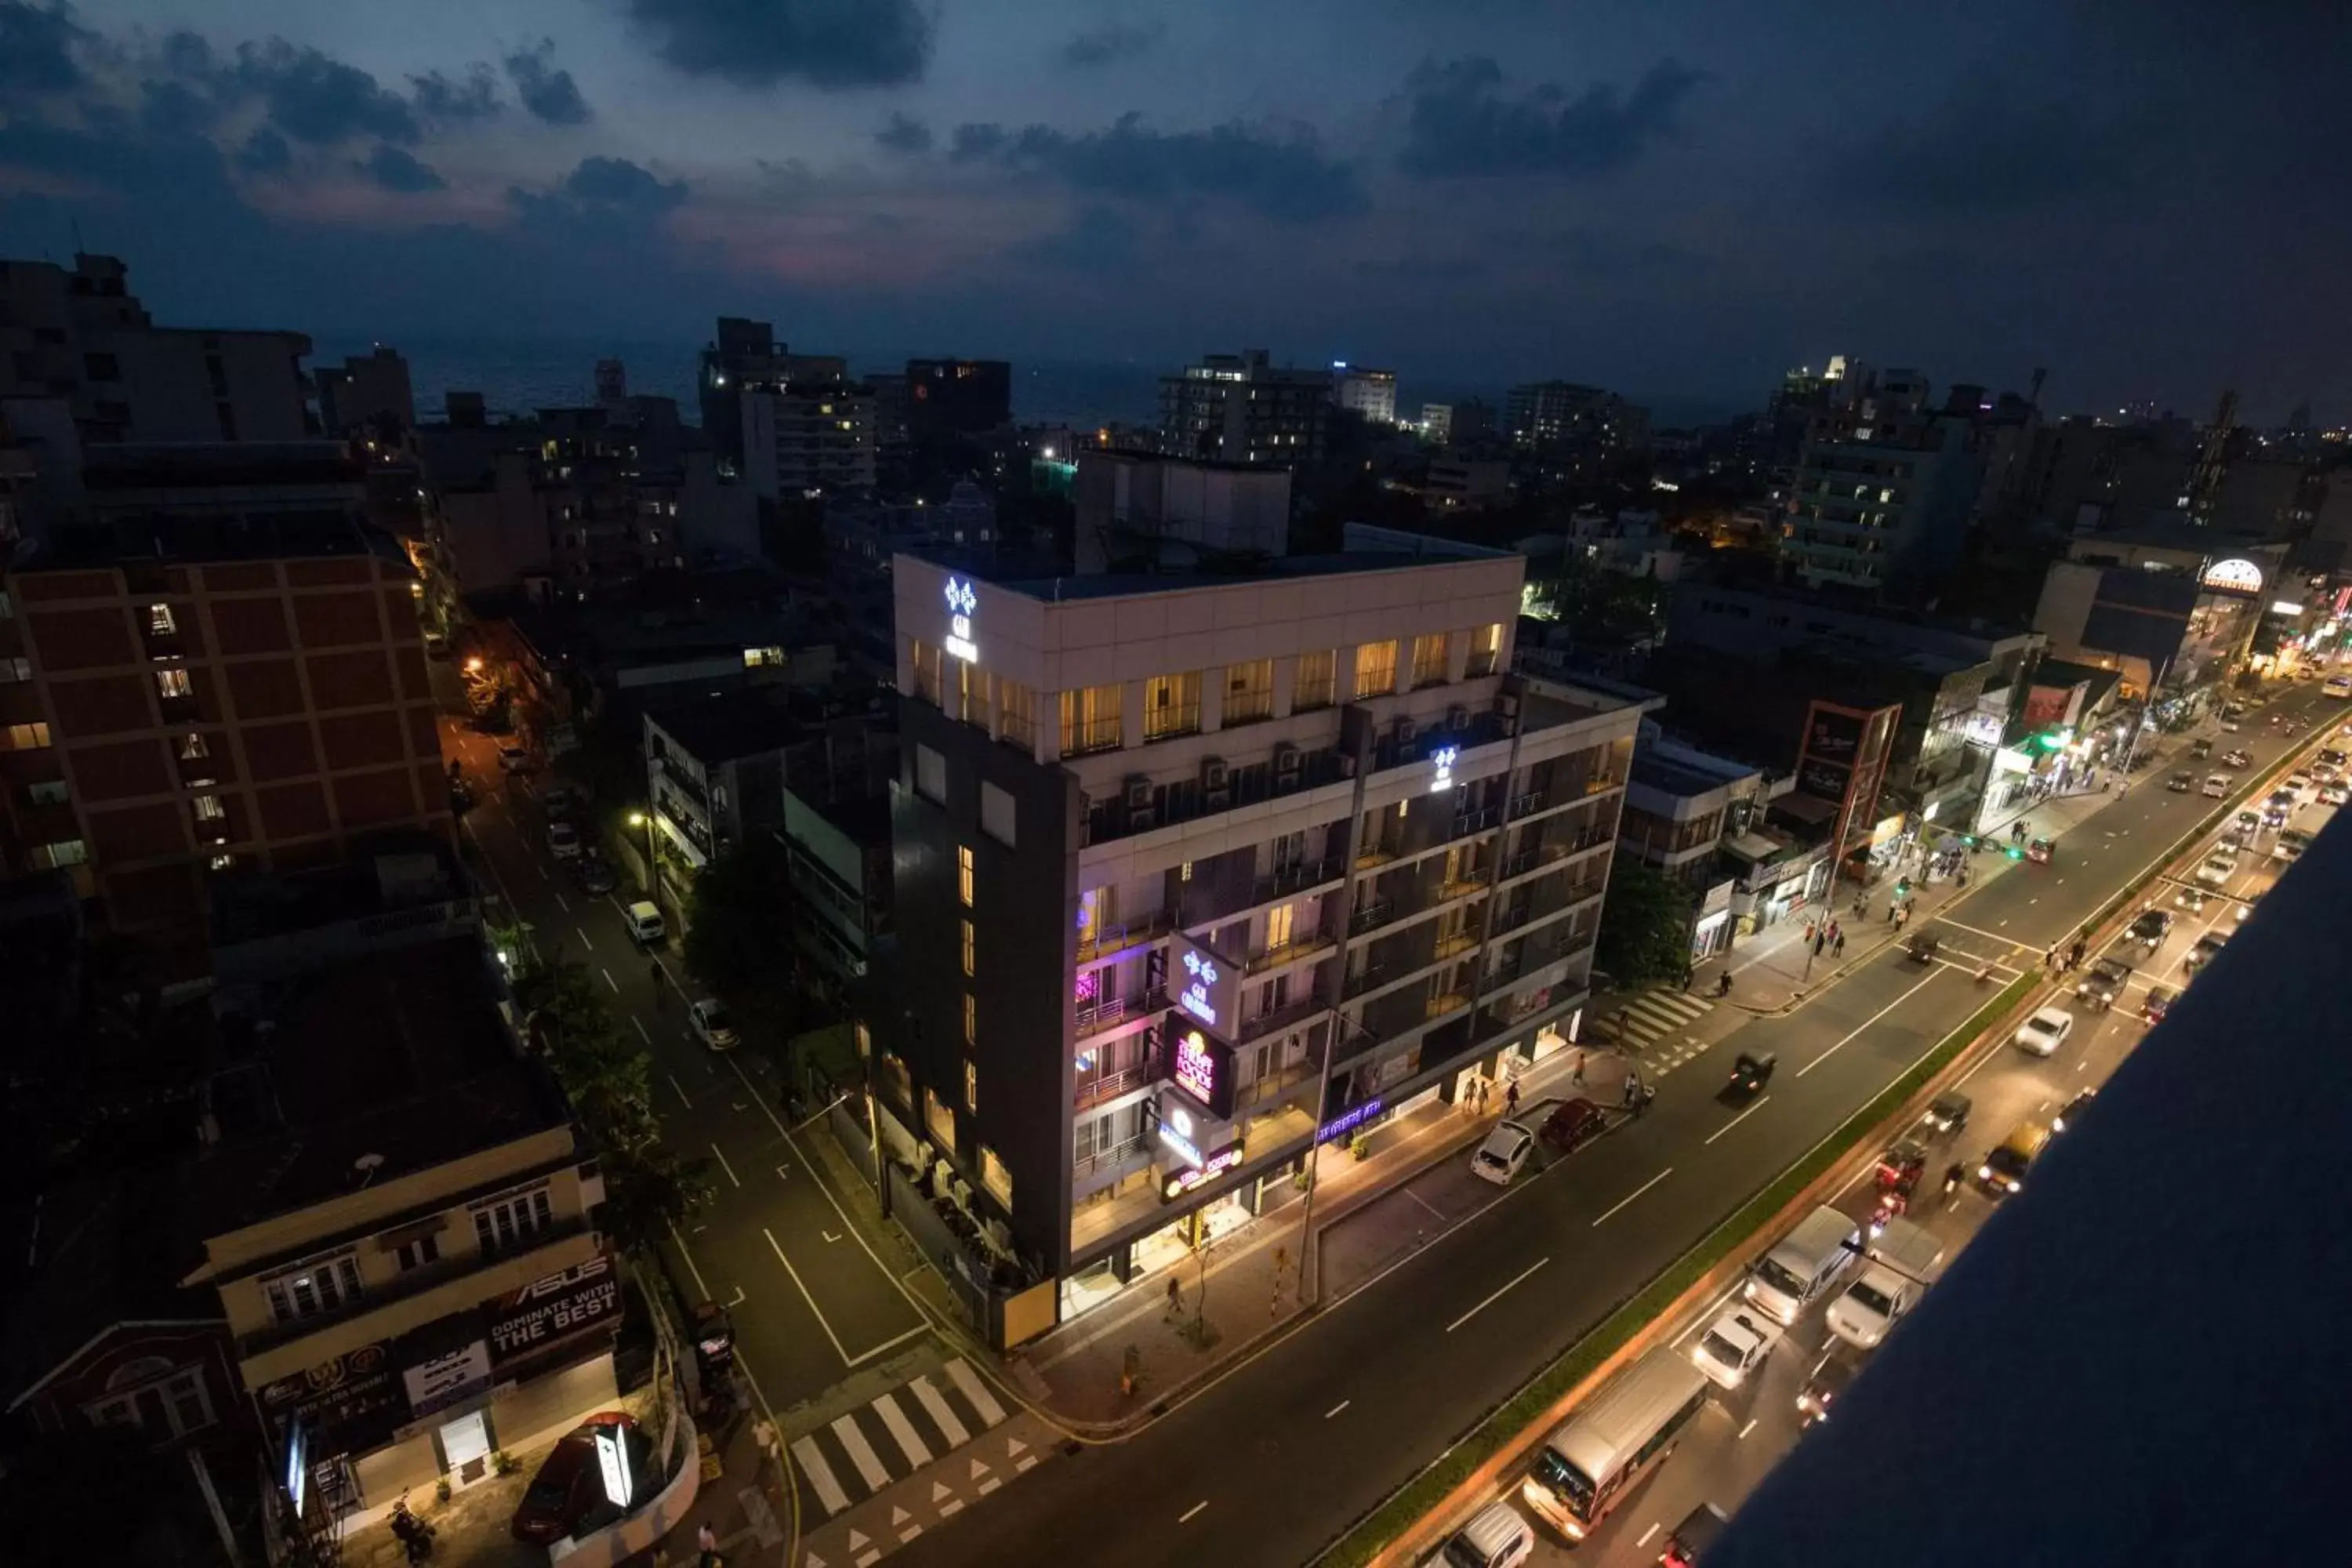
x,y
1462,123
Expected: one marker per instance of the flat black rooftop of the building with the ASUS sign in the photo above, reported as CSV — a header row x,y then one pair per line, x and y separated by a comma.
x,y
396,1054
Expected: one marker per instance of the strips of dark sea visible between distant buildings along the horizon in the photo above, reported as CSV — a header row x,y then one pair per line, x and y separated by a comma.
x,y
519,377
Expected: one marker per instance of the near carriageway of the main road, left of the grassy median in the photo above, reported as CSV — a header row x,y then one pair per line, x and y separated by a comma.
x,y
1281,1454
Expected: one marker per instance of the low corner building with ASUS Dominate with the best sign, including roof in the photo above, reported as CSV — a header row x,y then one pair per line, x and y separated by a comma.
x,y
394,1217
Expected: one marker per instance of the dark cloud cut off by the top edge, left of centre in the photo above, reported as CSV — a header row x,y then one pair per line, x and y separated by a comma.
x,y
759,43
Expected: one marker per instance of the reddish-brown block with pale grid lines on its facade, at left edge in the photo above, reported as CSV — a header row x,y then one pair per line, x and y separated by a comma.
x,y
215,669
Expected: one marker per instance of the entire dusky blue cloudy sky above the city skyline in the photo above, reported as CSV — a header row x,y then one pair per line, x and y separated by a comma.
x,y
1666,196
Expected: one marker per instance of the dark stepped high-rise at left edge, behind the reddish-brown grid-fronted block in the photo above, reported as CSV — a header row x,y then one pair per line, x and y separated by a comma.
x,y
83,337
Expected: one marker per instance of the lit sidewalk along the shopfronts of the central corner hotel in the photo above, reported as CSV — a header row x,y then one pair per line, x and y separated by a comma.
x,y
1245,1287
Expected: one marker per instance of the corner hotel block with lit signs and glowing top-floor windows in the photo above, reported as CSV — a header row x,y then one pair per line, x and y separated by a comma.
x,y
1196,873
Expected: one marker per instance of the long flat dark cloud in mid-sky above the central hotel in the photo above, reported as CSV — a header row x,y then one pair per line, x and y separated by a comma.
x,y
1278,173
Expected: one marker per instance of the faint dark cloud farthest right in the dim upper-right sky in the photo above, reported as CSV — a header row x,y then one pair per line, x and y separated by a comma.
x,y
1989,149
